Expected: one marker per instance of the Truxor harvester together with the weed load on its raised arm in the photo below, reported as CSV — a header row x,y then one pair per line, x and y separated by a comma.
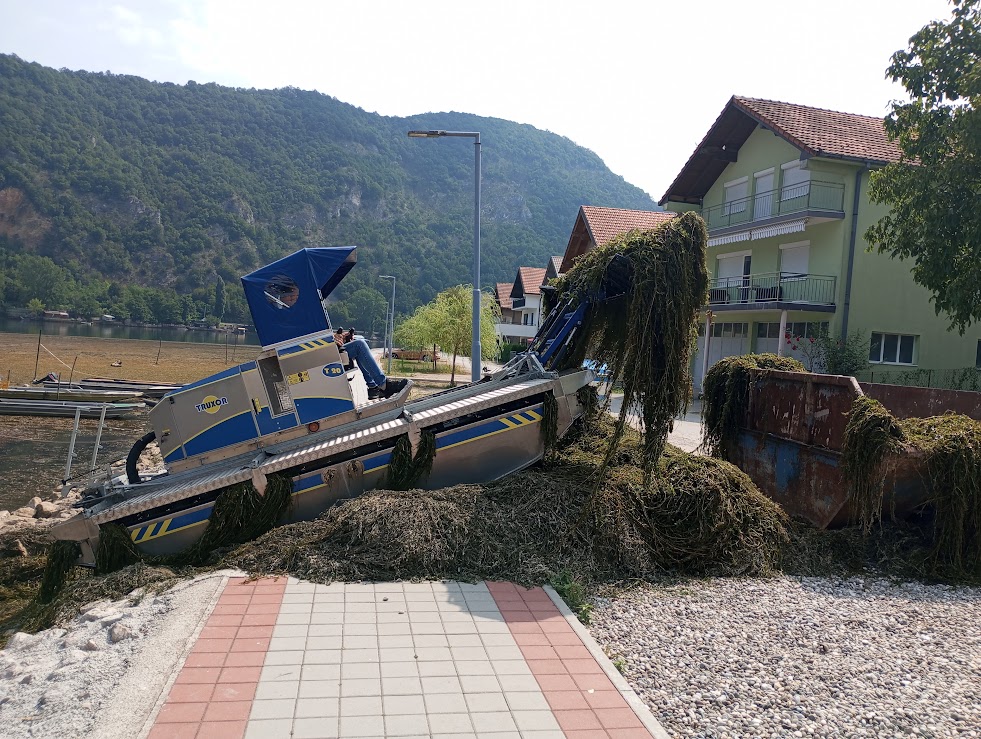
x,y
282,438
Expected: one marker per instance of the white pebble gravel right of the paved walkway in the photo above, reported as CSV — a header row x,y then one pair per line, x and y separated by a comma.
x,y
800,657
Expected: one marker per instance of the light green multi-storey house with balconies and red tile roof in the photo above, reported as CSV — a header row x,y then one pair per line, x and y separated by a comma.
x,y
784,191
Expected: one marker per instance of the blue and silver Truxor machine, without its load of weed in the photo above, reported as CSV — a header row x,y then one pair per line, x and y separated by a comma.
x,y
300,409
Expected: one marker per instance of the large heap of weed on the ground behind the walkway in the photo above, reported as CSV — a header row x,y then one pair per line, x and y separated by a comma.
x,y
697,516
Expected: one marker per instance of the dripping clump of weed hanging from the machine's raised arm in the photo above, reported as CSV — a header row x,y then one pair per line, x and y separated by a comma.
x,y
644,290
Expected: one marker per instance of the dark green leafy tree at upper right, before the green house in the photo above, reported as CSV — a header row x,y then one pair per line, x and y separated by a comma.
x,y
935,191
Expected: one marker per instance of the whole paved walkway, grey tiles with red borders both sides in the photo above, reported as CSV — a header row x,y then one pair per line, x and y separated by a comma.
x,y
285,658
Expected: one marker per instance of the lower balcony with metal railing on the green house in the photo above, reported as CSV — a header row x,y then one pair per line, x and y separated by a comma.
x,y
773,291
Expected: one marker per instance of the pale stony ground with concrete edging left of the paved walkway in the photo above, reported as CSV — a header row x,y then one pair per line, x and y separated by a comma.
x,y
103,674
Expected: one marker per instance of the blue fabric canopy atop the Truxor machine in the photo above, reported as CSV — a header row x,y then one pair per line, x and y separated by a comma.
x,y
285,296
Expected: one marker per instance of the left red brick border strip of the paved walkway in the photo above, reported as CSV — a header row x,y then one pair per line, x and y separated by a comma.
x,y
213,693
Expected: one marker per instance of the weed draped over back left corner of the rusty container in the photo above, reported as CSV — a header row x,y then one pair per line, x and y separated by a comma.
x,y
726,397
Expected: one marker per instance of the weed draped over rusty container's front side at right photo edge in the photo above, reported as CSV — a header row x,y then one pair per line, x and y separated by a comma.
x,y
948,448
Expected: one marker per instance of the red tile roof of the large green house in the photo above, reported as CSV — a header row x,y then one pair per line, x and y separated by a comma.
x,y
823,132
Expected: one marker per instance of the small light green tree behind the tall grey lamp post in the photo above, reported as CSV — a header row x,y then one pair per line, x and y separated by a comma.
x,y
447,322
